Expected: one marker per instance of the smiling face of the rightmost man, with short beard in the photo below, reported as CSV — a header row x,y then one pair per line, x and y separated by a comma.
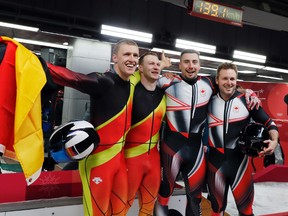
x,y
227,81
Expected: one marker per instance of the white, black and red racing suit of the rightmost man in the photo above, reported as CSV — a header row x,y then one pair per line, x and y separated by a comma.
x,y
227,165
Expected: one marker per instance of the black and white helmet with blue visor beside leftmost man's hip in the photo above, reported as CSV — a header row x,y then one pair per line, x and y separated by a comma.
x,y
73,140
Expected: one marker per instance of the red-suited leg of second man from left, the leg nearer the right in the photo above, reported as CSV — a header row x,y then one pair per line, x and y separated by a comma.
x,y
150,185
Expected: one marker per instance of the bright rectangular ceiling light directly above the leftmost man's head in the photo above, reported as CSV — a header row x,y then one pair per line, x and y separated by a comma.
x,y
126,33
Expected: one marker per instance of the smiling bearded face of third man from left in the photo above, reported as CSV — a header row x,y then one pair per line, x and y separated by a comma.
x,y
189,65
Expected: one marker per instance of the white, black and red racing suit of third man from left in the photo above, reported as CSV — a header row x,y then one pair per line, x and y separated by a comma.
x,y
181,147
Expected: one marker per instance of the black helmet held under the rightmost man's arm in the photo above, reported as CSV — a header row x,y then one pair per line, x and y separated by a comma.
x,y
252,137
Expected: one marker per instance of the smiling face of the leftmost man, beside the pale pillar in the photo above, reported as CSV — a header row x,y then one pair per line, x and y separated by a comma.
x,y
125,60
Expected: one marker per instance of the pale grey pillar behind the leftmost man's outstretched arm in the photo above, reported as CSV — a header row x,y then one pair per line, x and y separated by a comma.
x,y
84,56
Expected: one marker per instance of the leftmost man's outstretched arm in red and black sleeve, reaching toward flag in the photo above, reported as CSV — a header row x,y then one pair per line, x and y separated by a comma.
x,y
92,83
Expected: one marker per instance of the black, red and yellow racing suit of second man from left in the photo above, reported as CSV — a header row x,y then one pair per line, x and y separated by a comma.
x,y
141,148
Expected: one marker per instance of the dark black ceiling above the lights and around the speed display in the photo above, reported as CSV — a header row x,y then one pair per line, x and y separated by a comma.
x,y
264,31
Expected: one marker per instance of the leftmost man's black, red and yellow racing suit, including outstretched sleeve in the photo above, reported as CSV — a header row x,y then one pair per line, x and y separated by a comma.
x,y
103,173
